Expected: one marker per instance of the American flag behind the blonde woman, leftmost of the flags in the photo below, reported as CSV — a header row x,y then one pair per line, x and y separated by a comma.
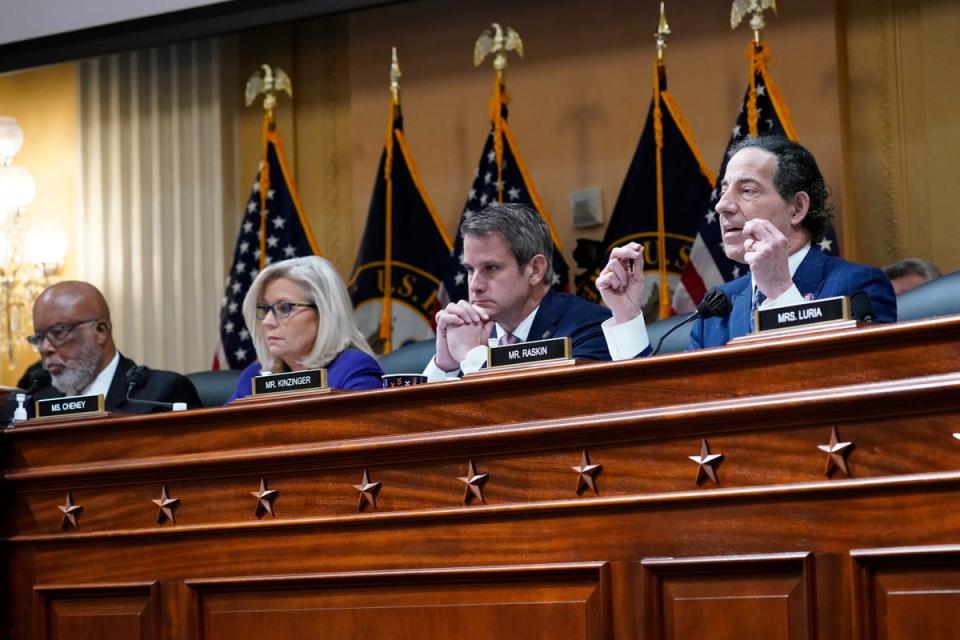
x,y
274,228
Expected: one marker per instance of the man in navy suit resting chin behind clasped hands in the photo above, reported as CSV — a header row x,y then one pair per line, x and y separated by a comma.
x,y
507,253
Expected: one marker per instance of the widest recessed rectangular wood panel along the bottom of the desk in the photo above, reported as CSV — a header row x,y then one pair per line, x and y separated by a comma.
x,y
550,601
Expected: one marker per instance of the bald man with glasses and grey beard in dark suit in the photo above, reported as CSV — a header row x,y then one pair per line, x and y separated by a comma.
x,y
75,340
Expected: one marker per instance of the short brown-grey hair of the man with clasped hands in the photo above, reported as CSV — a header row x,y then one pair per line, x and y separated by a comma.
x,y
524,229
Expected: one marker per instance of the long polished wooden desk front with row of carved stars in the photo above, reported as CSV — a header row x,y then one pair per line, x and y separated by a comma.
x,y
783,543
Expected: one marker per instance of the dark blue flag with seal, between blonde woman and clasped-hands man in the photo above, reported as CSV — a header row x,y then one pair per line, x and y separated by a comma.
x,y
404,244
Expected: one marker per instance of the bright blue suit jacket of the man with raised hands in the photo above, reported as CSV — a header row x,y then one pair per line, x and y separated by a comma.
x,y
818,275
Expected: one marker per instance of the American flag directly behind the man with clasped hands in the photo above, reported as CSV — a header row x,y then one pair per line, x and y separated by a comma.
x,y
517,187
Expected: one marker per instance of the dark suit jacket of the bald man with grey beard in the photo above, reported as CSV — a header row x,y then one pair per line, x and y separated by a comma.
x,y
161,386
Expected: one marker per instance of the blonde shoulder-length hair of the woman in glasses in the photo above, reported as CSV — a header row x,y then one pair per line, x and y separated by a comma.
x,y
322,286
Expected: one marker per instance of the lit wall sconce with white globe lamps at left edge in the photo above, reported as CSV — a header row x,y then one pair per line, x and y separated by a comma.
x,y
28,261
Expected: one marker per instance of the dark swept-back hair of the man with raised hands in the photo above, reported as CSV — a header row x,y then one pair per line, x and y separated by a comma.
x,y
797,171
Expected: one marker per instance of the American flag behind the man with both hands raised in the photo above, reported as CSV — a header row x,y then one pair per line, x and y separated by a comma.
x,y
766,111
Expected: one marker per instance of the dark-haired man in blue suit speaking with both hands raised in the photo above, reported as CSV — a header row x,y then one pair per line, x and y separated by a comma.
x,y
773,212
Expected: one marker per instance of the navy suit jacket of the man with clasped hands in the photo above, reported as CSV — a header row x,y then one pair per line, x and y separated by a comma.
x,y
561,315
